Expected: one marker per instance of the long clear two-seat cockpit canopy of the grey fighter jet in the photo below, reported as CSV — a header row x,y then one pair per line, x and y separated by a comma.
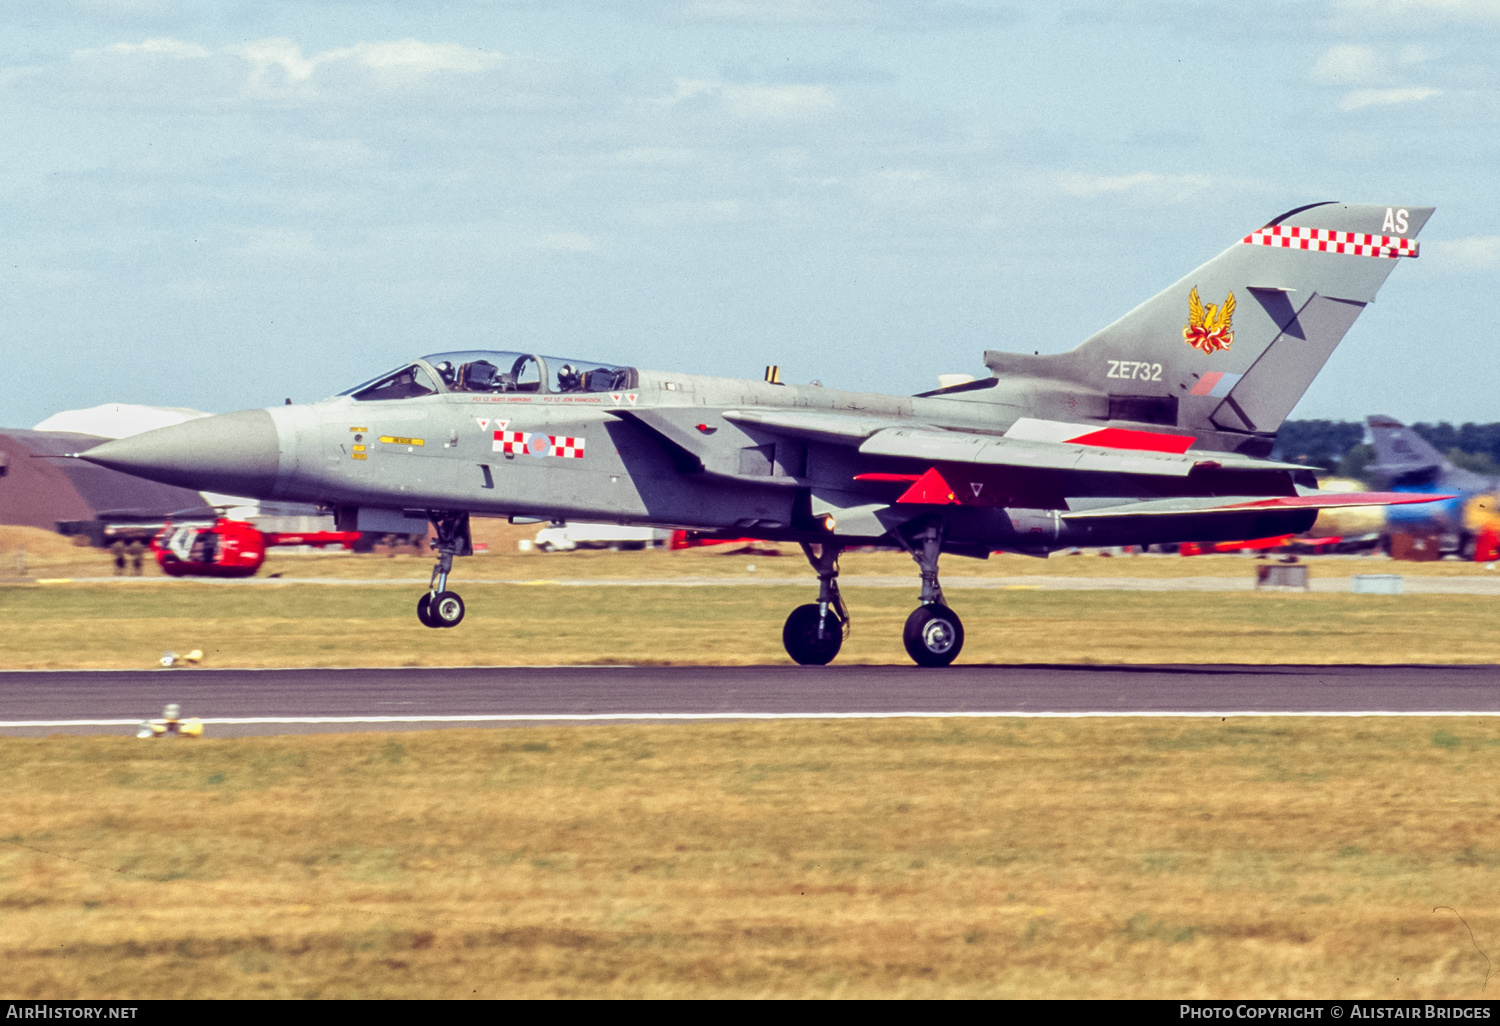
x,y
487,371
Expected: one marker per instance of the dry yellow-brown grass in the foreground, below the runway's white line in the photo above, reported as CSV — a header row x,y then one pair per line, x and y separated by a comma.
x,y
1046,859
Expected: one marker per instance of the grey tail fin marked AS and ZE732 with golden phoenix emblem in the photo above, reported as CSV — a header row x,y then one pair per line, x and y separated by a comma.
x,y
1231,349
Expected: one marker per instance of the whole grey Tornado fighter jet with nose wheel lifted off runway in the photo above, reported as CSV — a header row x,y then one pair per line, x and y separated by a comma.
x,y
1157,430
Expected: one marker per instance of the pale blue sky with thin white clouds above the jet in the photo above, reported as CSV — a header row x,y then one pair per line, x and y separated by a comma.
x,y
227,205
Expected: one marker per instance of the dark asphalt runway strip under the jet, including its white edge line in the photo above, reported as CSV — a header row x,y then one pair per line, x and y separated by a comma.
x,y
316,701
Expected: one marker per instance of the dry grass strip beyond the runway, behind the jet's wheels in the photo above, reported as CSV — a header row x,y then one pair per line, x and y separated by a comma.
x,y
107,626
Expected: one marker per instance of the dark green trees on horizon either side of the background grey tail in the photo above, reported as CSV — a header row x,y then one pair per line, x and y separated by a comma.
x,y
1340,448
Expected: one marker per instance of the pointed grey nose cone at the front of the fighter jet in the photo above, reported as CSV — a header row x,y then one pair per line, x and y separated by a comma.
x,y
236,454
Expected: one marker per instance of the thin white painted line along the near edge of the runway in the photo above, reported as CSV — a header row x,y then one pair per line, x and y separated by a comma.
x,y
650,718
